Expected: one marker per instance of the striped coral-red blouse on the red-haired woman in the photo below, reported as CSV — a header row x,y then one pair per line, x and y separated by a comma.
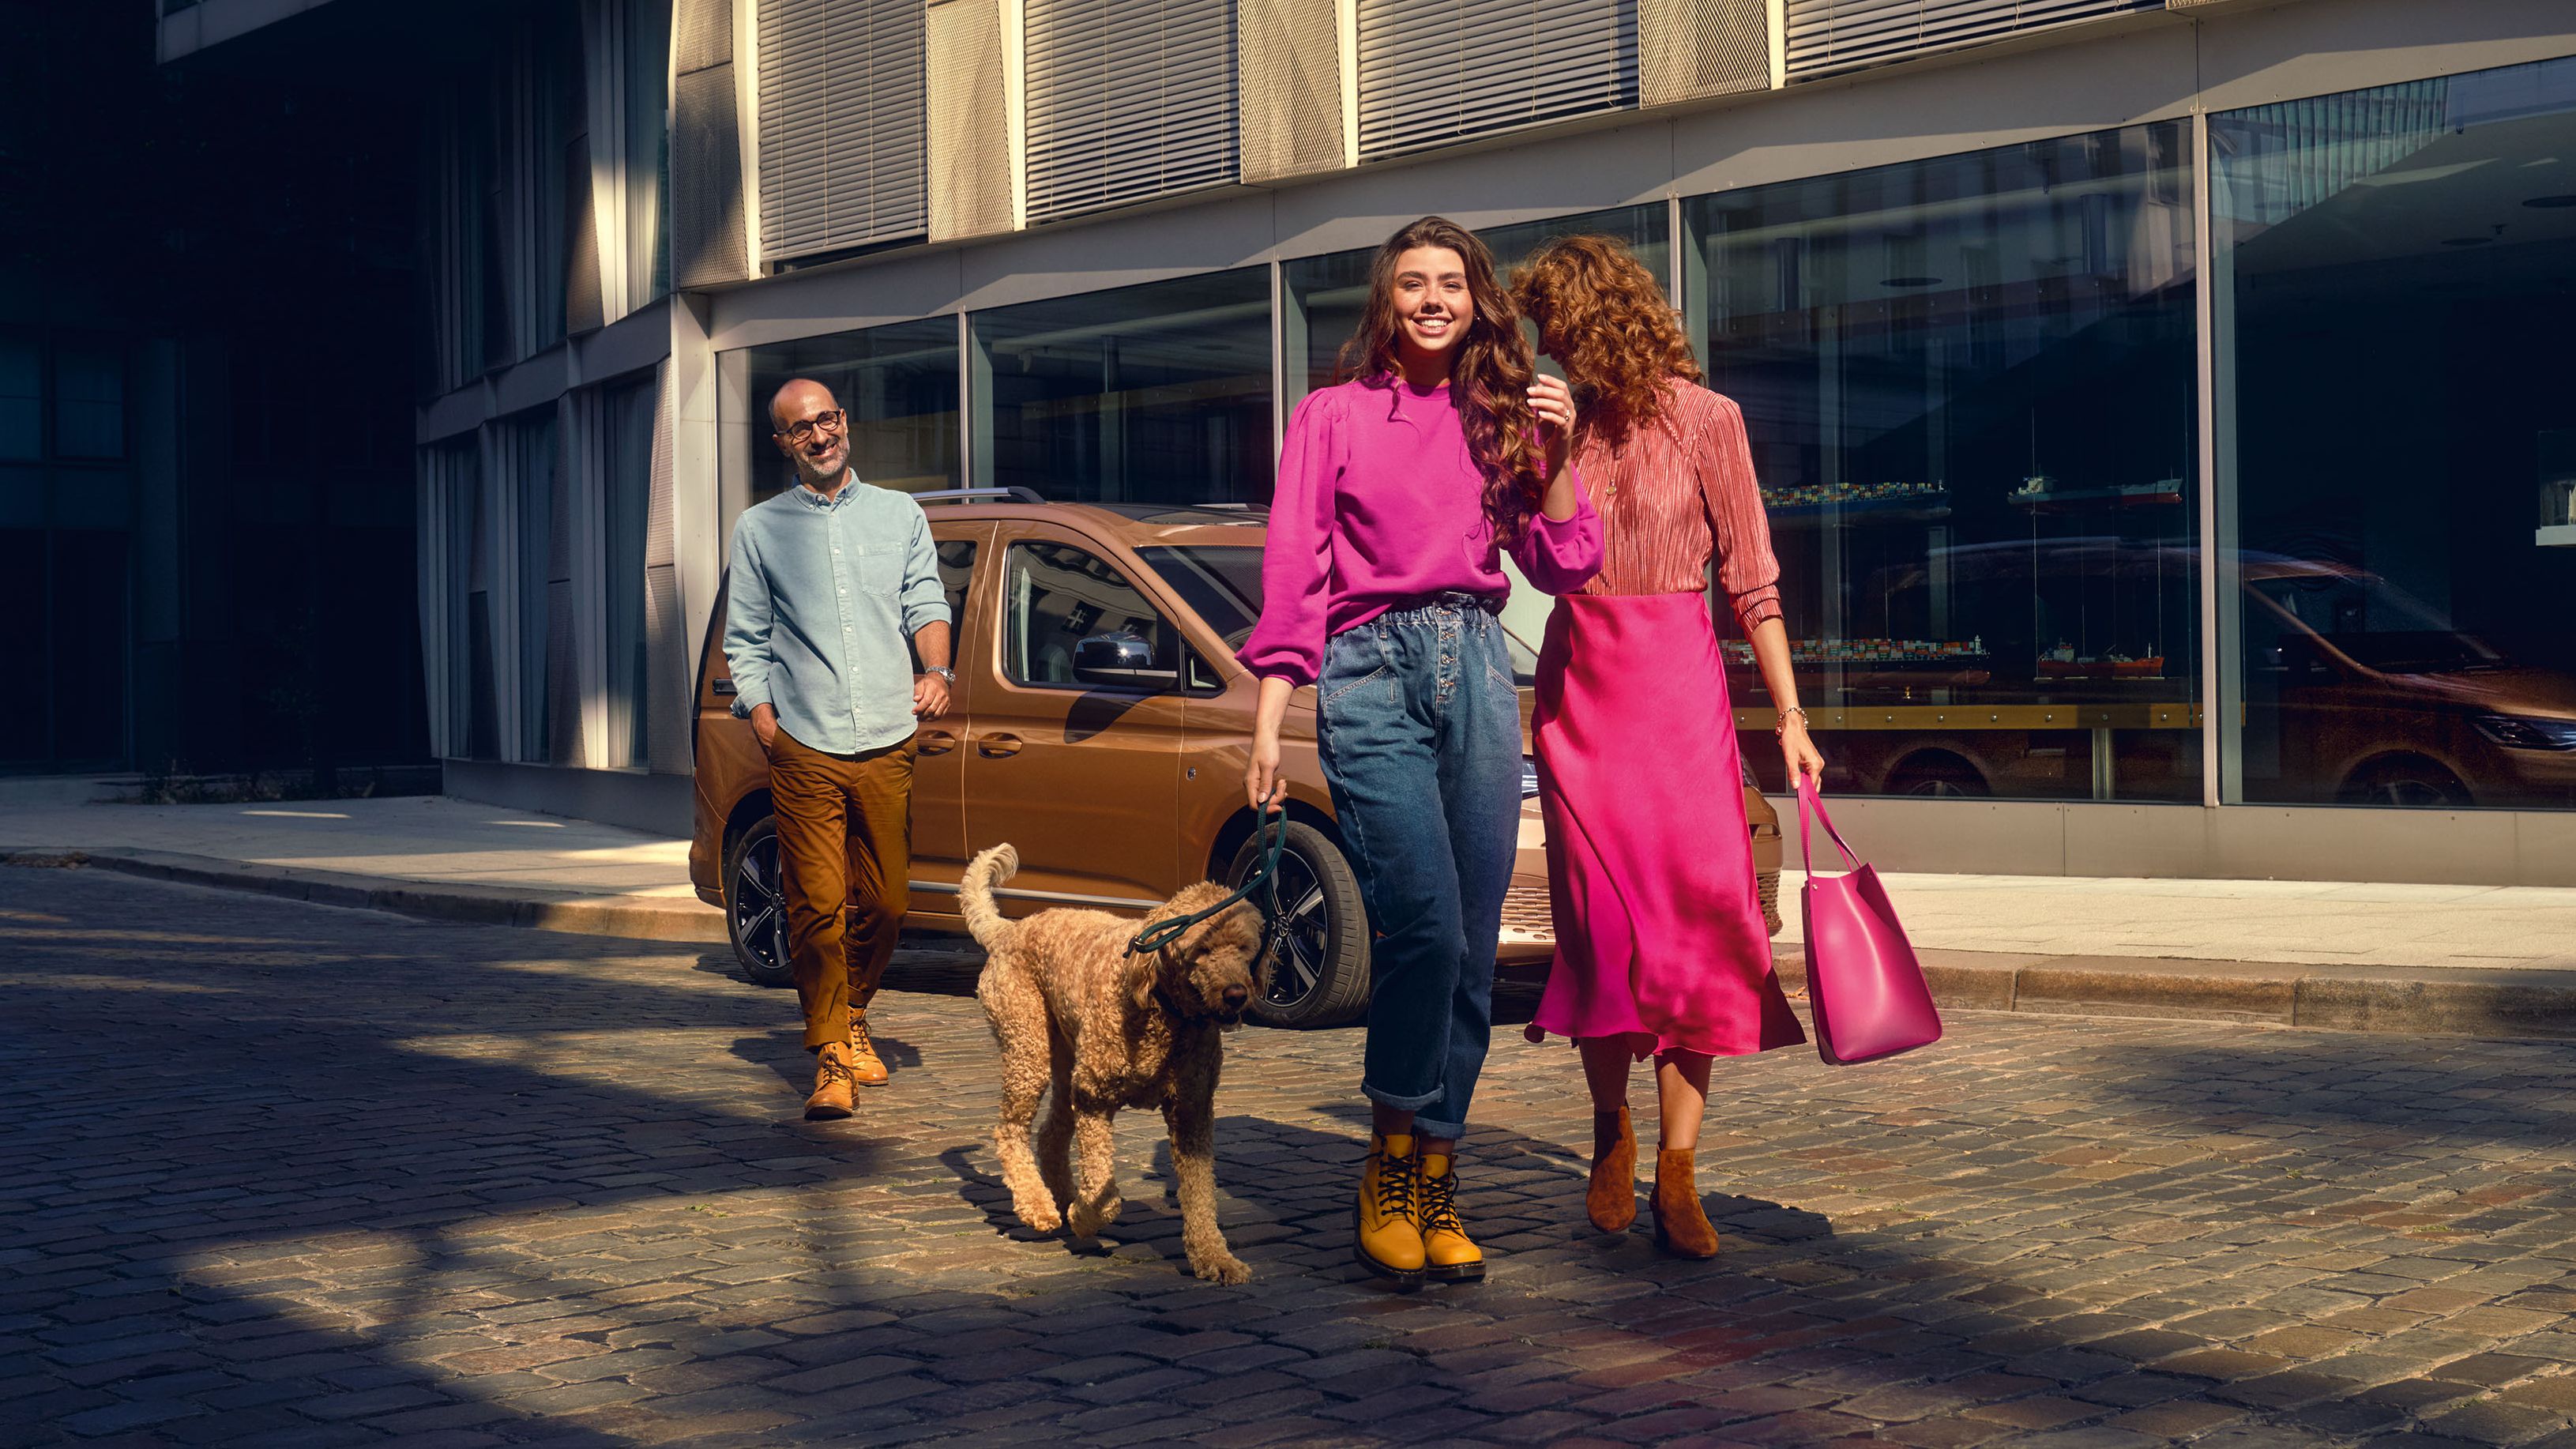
x,y
1676,494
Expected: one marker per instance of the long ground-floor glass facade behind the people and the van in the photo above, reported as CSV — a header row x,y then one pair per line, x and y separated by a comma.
x,y
1975,404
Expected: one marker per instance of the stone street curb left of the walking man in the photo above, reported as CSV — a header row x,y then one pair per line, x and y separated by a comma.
x,y
625,917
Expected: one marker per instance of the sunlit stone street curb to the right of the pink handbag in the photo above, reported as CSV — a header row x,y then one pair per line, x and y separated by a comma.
x,y
2415,1002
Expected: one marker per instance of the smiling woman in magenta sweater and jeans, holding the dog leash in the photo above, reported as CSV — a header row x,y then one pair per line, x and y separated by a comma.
x,y
1379,587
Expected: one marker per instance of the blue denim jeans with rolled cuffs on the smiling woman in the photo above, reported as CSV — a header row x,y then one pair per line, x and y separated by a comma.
x,y
1421,736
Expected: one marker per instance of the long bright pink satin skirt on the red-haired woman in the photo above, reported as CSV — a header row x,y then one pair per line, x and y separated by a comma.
x,y
1658,917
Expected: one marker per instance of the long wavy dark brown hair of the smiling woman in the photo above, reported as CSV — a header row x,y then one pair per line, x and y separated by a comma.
x,y
1490,370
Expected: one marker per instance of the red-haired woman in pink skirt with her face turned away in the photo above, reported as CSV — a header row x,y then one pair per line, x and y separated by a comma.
x,y
1660,942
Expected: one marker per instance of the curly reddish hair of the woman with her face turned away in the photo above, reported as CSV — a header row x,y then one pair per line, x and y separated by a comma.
x,y
1609,324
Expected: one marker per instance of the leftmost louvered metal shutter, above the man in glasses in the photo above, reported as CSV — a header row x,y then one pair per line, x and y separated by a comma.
x,y
841,125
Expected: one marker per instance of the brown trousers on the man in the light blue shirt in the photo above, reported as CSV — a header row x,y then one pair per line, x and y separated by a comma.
x,y
846,868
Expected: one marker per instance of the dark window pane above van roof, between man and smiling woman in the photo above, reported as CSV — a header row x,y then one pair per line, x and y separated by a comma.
x,y
1140,396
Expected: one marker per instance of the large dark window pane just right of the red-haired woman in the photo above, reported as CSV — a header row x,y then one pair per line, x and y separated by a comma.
x,y
1969,391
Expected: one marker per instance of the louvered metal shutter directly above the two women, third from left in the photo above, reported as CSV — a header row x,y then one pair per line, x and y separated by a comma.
x,y
1439,71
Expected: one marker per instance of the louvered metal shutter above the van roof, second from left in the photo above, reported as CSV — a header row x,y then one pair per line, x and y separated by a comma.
x,y
1127,99
